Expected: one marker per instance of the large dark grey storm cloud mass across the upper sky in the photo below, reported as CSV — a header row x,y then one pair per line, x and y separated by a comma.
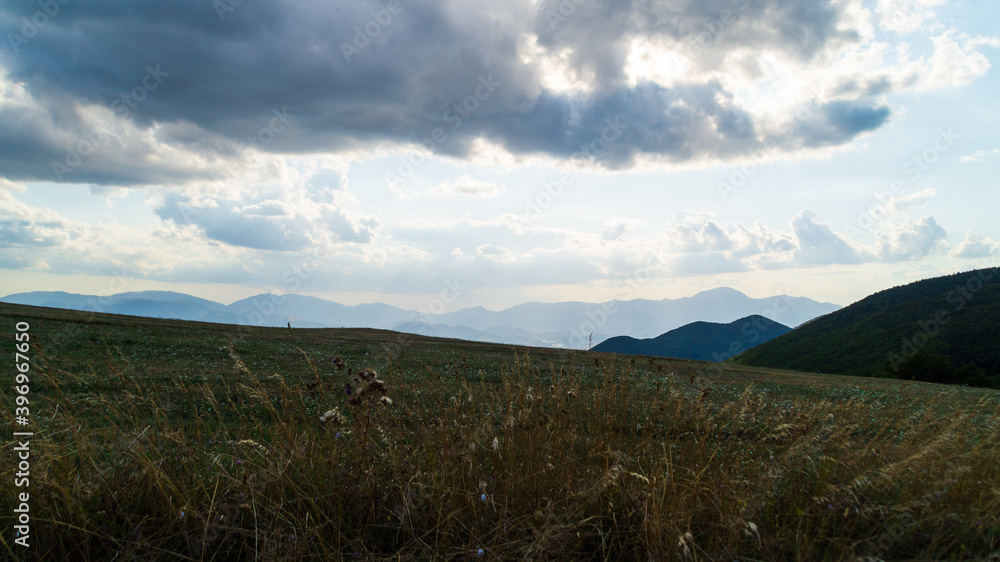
x,y
350,74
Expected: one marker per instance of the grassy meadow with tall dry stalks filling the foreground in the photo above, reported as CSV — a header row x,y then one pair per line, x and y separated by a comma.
x,y
170,440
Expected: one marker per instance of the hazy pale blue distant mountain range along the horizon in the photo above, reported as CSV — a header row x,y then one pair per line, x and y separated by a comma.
x,y
560,325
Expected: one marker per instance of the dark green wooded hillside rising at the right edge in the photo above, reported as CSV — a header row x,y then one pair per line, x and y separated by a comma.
x,y
945,329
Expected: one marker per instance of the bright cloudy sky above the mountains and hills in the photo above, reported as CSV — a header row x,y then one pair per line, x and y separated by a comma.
x,y
493,153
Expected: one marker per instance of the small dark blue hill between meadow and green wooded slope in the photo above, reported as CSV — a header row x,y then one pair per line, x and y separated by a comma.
x,y
705,341
